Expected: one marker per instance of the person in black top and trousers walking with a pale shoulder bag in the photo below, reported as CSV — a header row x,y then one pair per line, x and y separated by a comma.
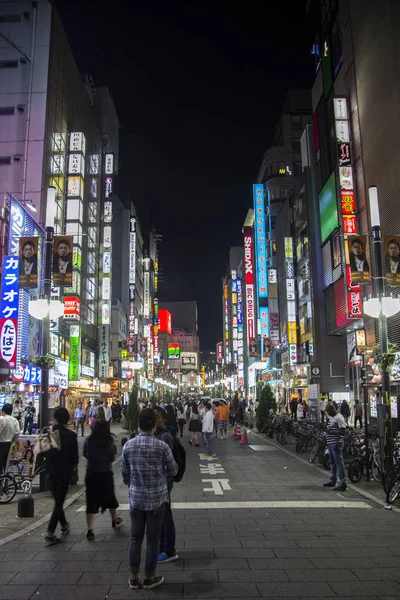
x,y
59,467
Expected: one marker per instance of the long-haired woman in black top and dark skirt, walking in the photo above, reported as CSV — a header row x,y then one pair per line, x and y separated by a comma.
x,y
99,452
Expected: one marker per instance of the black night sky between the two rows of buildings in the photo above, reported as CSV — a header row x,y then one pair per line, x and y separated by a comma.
x,y
198,88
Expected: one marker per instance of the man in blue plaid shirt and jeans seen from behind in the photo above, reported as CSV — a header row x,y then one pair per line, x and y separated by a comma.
x,y
146,464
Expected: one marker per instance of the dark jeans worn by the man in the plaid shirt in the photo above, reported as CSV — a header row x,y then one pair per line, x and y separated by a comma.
x,y
152,521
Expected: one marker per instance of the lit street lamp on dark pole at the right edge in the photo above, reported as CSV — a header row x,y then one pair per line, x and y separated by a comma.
x,y
381,307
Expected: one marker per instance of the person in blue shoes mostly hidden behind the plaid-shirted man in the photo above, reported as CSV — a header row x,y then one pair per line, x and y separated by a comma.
x,y
168,535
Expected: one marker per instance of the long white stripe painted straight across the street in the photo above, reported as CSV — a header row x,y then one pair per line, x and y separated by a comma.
x,y
315,504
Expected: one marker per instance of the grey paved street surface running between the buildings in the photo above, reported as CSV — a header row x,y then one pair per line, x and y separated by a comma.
x,y
251,522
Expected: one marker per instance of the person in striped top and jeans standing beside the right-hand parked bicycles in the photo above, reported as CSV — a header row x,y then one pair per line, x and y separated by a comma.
x,y
334,439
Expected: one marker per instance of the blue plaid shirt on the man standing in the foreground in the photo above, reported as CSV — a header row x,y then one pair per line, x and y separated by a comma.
x,y
146,463
